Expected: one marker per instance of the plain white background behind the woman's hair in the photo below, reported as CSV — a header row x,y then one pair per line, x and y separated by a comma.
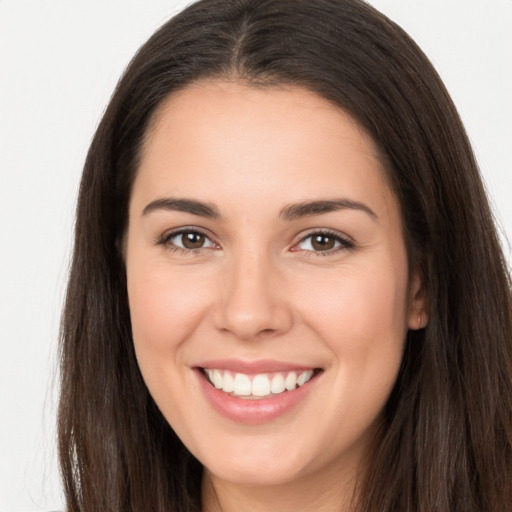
x,y
59,62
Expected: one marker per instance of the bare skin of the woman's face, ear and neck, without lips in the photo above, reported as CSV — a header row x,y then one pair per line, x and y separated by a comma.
x,y
258,289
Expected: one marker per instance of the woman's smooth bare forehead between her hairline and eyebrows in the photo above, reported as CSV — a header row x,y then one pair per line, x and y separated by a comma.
x,y
232,140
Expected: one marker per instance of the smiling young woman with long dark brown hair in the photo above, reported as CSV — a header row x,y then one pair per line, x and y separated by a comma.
x,y
287,291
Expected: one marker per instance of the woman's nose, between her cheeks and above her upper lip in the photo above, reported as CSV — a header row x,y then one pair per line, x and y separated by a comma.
x,y
252,300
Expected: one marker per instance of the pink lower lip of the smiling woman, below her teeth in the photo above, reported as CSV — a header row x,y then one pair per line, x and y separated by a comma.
x,y
253,411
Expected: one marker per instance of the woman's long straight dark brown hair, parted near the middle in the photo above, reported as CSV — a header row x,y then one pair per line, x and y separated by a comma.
x,y
446,444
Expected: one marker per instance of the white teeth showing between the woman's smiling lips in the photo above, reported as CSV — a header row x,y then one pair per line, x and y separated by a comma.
x,y
258,386
